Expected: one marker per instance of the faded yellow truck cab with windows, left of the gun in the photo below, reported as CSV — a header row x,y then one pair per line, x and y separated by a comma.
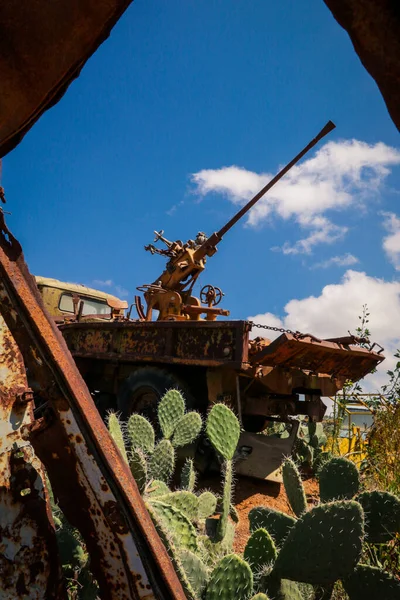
x,y
67,301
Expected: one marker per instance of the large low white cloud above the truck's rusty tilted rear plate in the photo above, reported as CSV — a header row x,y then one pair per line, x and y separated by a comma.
x,y
336,310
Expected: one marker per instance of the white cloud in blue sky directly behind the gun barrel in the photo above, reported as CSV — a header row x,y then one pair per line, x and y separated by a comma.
x,y
340,175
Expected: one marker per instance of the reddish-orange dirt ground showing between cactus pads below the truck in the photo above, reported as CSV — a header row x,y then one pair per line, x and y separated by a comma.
x,y
249,493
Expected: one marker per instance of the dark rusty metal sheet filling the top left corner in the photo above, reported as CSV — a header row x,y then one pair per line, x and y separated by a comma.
x,y
43,47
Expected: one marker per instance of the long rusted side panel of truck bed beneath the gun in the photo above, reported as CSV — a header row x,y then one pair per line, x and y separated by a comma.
x,y
200,343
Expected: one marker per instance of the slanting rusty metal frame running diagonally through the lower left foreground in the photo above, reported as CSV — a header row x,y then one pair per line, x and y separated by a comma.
x,y
89,477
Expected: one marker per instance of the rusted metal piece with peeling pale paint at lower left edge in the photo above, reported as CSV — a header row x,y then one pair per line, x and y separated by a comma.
x,y
29,565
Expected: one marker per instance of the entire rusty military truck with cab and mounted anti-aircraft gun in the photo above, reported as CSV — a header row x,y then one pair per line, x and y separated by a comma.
x,y
176,340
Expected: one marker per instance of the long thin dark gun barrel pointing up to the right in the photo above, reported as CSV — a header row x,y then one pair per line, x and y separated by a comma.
x,y
215,238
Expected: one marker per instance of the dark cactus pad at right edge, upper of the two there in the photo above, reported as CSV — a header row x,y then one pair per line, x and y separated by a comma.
x,y
381,514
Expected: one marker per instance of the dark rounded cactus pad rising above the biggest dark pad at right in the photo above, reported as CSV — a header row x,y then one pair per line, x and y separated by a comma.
x,y
338,480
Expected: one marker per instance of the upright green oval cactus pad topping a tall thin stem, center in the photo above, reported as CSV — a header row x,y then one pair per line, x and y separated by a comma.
x,y
223,430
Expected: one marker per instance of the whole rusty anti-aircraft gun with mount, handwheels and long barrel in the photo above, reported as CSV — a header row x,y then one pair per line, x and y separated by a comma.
x,y
171,293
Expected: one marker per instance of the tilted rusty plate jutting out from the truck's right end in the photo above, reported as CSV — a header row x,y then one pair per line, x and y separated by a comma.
x,y
349,362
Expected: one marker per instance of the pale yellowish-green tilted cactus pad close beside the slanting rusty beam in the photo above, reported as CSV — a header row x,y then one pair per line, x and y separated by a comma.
x,y
182,532
